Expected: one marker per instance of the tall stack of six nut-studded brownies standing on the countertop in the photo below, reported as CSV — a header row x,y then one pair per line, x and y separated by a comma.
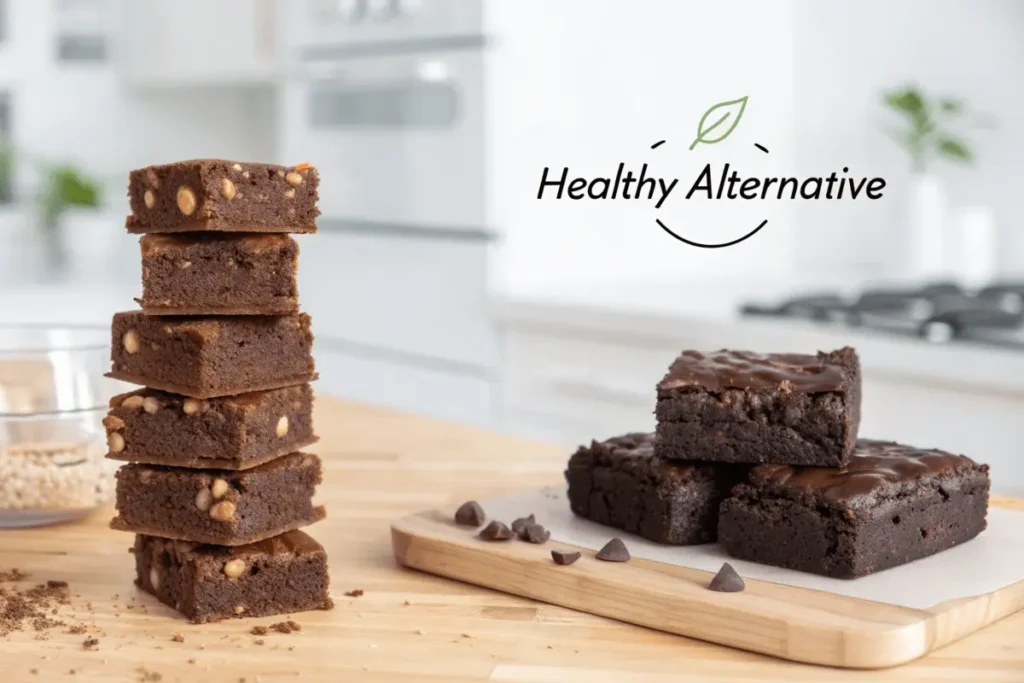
x,y
218,487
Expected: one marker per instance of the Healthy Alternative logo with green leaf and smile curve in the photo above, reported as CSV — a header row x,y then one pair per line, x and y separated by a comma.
x,y
717,124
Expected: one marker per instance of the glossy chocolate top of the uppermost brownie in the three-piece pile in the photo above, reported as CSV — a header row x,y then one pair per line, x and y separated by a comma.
x,y
745,370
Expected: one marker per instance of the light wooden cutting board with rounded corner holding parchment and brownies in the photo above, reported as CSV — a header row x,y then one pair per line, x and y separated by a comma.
x,y
787,622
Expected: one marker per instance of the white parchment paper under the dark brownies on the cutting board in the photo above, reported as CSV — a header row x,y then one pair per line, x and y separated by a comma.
x,y
992,562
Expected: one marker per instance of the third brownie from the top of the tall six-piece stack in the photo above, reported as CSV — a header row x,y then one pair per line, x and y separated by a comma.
x,y
203,357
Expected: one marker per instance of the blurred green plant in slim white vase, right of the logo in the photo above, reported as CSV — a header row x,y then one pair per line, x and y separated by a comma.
x,y
929,135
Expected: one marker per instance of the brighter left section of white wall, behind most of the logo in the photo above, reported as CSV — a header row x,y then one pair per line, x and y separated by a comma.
x,y
591,83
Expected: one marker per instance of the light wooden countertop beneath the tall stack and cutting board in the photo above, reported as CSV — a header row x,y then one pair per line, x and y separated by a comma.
x,y
407,626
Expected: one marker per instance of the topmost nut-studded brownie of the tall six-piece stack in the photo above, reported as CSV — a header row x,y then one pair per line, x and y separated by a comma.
x,y
214,195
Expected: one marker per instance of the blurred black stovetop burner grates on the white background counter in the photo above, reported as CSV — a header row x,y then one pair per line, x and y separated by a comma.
x,y
938,313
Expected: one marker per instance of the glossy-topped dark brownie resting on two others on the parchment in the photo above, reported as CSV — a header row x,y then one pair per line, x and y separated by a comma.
x,y
738,407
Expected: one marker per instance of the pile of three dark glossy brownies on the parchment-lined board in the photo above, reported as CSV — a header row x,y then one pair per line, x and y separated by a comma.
x,y
761,452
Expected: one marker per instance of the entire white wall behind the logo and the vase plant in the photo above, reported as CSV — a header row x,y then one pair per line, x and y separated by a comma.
x,y
589,83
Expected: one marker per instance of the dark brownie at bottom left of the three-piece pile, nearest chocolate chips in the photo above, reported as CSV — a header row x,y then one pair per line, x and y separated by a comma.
x,y
621,483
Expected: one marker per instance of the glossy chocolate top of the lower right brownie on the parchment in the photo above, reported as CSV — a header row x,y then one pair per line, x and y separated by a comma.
x,y
872,465
